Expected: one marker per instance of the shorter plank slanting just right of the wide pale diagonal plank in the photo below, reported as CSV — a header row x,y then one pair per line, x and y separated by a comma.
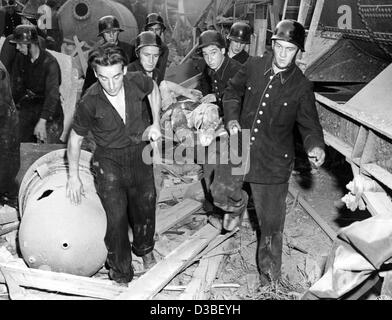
x,y
205,274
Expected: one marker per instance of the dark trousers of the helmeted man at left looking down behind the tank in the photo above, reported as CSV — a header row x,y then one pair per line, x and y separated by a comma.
x,y
29,114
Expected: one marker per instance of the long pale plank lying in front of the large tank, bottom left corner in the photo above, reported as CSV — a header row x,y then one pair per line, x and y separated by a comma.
x,y
60,282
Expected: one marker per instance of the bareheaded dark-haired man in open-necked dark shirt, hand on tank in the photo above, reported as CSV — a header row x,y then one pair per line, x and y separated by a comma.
x,y
111,110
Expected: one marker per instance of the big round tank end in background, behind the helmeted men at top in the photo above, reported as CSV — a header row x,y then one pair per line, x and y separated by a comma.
x,y
80,18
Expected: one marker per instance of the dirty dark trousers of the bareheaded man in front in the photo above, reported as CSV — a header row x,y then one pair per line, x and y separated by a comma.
x,y
125,186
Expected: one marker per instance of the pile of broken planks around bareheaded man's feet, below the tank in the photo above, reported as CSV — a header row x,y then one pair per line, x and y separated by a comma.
x,y
186,247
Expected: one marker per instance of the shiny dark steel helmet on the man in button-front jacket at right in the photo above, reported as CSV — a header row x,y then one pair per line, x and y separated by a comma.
x,y
290,31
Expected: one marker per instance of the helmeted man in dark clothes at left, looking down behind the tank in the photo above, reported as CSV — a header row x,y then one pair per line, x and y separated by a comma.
x,y
36,89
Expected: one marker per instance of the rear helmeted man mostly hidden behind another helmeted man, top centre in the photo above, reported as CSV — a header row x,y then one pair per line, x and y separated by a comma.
x,y
154,23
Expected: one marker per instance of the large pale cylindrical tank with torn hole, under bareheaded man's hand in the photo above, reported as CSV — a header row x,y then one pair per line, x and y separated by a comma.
x,y
55,234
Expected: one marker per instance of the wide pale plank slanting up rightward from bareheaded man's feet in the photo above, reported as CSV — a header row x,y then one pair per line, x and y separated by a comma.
x,y
153,281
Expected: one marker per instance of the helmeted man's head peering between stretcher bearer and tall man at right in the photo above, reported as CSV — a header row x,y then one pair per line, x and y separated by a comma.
x,y
239,37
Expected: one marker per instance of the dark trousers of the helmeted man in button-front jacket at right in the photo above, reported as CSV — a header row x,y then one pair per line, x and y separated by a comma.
x,y
270,206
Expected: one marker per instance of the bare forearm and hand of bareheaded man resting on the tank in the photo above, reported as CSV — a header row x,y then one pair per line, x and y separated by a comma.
x,y
74,185
